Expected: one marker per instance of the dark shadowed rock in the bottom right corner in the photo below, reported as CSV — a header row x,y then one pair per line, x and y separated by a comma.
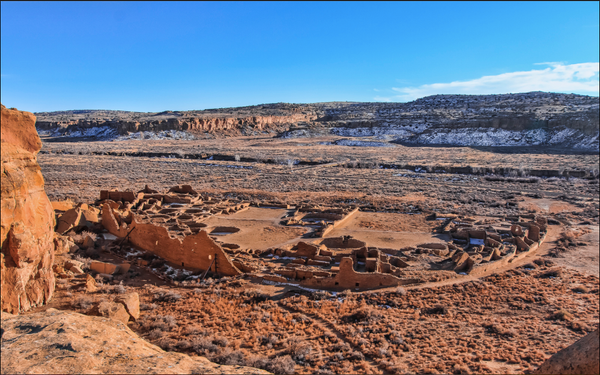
x,y
582,357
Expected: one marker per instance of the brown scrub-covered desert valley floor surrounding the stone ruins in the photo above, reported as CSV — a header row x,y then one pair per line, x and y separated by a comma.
x,y
487,257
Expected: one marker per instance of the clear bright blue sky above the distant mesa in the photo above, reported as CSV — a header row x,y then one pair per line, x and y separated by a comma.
x,y
154,56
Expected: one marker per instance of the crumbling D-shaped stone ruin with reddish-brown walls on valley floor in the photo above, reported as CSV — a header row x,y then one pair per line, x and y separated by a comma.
x,y
172,226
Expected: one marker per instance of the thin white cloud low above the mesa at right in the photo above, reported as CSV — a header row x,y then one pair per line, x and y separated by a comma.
x,y
557,77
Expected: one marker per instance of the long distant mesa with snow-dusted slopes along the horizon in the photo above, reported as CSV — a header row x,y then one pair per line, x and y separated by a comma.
x,y
525,119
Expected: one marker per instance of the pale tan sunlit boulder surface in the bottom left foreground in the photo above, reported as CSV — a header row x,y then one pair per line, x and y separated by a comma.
x,y
55,341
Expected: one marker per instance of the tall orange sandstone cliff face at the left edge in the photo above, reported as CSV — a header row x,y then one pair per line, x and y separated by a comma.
x,y
27,225
